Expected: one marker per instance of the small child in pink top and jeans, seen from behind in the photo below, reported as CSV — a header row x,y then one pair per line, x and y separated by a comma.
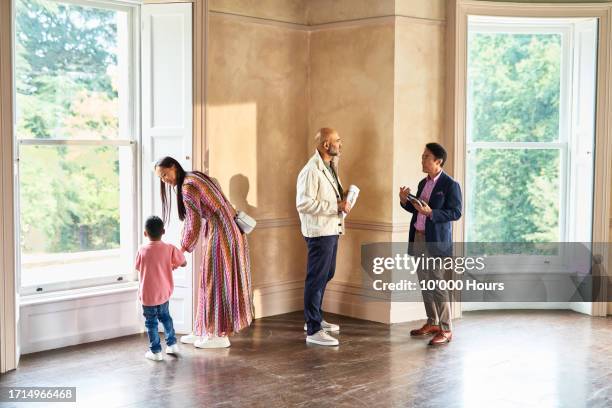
x,y
155,262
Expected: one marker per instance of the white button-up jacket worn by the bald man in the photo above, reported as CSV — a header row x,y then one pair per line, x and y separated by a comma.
x,y
317,200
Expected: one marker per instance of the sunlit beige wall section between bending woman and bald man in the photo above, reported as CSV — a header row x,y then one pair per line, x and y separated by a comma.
x,y
257,82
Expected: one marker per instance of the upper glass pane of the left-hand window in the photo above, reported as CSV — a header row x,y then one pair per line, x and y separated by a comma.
x,y
71,71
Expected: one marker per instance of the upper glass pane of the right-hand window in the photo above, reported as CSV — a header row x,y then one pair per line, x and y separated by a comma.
x,y
513,87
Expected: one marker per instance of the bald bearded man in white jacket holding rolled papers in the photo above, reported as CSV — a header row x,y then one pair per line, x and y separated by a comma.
x,y
320,202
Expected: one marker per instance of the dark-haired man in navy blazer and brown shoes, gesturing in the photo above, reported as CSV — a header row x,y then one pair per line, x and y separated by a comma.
x,y
438,204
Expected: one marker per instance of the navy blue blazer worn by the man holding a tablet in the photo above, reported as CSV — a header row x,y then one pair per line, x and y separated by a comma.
x,y
445,203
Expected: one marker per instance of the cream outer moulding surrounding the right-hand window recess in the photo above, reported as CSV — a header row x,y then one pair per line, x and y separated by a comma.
x,y
456,111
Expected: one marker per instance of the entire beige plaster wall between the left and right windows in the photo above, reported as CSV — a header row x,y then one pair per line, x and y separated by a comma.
x,y
377,78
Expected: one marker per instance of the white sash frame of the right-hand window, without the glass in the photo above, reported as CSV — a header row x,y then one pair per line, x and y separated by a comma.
x,y
566,143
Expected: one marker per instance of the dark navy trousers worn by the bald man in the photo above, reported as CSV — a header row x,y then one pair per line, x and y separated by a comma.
x,y
320,270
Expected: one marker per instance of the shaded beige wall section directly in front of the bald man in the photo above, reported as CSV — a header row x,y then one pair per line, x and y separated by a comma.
x,y
351,90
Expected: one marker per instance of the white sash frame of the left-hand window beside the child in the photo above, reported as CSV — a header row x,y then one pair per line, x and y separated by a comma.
x,y
131,141
